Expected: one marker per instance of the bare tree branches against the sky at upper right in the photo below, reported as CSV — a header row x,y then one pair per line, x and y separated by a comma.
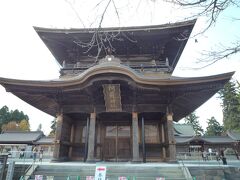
x,y
211,9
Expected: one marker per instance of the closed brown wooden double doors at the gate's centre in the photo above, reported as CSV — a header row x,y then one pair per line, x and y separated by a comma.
x,y
117,142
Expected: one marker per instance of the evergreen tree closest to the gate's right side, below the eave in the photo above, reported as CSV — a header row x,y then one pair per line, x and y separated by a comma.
x,y
193,120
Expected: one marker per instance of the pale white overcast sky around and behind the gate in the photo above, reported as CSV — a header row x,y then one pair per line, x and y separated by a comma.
x,y
24,56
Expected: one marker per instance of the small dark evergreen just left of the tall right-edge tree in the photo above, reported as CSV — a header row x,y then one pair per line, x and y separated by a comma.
x,y
214,128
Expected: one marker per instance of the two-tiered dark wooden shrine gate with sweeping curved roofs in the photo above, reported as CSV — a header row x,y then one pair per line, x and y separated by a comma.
x,y
116,98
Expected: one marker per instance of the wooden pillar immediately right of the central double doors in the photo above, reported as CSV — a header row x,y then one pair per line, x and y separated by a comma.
x,y
135,138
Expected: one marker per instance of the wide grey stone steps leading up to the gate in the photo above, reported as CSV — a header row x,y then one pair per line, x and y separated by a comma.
x,y
113,172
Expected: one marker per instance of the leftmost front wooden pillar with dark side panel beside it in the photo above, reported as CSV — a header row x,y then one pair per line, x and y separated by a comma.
x,y
62,139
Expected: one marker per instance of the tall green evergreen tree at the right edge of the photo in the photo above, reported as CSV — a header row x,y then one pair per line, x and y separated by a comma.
x,y
230,96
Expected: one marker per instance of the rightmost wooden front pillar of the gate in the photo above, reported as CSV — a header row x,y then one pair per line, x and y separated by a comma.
x,y
170,133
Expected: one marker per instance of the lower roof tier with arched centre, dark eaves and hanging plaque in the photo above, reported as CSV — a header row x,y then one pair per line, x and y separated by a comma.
x,y
111,88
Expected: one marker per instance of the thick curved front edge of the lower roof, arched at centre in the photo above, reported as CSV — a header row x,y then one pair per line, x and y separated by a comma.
x,y
116,68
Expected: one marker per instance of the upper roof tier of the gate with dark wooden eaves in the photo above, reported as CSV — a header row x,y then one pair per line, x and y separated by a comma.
x,y
129,44
